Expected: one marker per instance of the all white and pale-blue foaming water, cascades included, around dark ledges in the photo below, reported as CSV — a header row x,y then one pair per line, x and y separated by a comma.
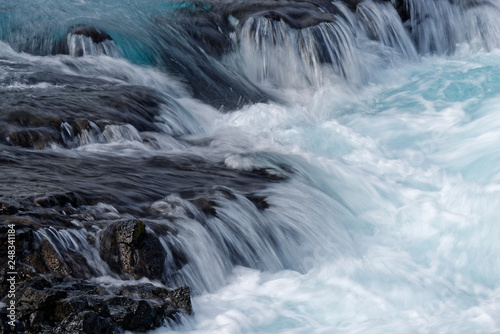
x,y
388,219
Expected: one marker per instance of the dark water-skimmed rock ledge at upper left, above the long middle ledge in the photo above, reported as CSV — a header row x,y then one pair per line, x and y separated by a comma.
x,y
72,108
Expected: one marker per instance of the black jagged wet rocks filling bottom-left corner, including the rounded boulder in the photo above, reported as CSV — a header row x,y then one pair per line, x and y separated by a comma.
x,y
54,294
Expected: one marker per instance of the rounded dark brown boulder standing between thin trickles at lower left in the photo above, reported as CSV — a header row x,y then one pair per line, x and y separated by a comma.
x,y
129,249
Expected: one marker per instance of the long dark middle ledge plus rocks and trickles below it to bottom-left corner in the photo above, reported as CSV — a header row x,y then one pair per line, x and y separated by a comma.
x,y
67,238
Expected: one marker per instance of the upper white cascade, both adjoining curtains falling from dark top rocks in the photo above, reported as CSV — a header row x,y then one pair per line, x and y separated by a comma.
x,y
351,46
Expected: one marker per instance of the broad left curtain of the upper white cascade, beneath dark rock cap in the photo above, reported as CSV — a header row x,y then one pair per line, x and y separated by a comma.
x,y
267,46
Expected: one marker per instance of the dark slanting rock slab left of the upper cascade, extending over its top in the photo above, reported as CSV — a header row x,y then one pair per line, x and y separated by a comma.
x,y
195,38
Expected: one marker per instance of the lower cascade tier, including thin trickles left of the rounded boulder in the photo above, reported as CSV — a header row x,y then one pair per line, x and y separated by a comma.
x,y
201,240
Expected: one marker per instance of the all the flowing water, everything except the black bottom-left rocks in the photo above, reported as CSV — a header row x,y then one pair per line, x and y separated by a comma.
x,y
351,188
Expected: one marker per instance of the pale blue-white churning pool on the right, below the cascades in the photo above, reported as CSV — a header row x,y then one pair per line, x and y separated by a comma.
x,y
414,160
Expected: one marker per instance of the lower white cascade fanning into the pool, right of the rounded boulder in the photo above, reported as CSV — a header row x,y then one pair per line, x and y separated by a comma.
x,y
233,231
